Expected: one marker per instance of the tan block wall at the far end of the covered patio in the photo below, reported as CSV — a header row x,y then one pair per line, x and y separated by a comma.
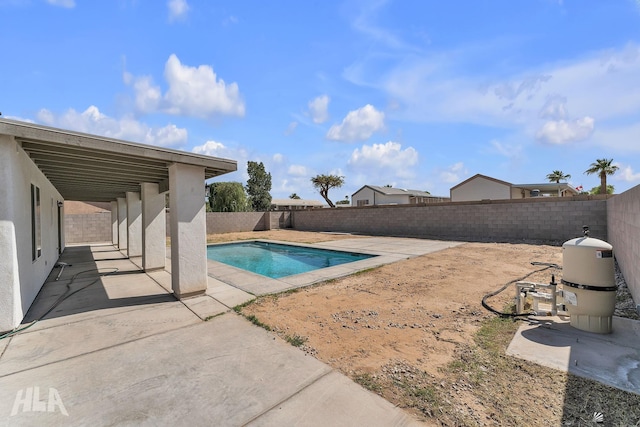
x,y
86,228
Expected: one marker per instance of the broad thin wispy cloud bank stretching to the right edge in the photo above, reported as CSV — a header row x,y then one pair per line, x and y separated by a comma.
x,y
431,86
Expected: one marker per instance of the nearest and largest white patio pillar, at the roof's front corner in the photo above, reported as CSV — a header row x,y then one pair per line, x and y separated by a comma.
x,y
188,230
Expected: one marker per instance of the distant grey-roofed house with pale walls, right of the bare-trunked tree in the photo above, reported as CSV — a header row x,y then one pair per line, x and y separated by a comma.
x,y
374,195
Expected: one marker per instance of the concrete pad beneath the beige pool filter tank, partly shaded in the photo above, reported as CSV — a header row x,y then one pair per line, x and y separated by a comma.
x,y
612,359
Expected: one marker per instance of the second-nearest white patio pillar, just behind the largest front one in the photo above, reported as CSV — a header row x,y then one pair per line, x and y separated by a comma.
x,y
154,228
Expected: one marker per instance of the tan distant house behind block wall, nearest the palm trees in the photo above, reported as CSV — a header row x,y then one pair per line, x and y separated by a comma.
x,y
482,187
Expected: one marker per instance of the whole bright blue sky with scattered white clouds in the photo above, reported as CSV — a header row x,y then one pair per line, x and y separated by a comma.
x,y
418,94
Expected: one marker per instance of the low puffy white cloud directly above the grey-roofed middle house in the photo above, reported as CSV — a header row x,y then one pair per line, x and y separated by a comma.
x,y
384,160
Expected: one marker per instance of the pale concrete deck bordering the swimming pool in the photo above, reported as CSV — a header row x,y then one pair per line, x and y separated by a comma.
x,y
258,285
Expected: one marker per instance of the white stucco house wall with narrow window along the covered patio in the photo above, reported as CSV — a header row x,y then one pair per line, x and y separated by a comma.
x,y
20,277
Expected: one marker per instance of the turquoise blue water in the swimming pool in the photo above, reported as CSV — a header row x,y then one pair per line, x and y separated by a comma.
x,y
277,260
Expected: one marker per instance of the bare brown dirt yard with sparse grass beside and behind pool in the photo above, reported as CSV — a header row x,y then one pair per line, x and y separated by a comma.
x,y
415,332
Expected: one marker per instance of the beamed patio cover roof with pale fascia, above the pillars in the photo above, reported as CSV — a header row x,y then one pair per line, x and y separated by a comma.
x,y
87,167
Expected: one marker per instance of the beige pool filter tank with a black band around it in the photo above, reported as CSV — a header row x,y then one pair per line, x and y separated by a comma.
x,y
589,288
